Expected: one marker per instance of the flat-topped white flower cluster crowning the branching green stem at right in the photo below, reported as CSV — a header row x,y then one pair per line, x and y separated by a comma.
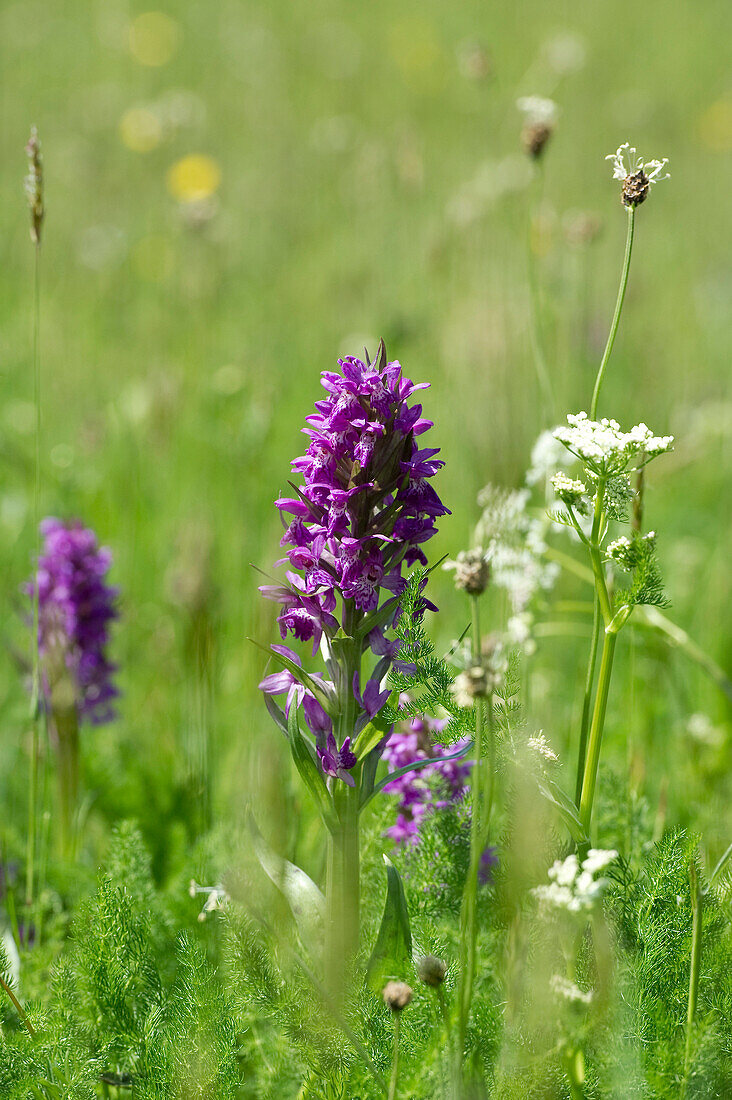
x,y
606,449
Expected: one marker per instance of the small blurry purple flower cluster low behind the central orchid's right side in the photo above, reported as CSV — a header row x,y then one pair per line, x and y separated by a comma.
x,y
418,791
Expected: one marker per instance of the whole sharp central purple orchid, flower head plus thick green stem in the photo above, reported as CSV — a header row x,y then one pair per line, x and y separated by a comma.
x,y
363,514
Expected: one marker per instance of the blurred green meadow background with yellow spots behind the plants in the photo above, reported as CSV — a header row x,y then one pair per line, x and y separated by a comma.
x,y
241,193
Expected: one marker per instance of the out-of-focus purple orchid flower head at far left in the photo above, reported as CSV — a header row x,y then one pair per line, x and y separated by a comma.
x,y
75,610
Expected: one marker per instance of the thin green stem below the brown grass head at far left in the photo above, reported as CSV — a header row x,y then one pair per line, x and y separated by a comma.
x,y
36,694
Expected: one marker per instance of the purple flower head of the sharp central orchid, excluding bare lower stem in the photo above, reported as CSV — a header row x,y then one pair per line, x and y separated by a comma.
x,y
363,513
